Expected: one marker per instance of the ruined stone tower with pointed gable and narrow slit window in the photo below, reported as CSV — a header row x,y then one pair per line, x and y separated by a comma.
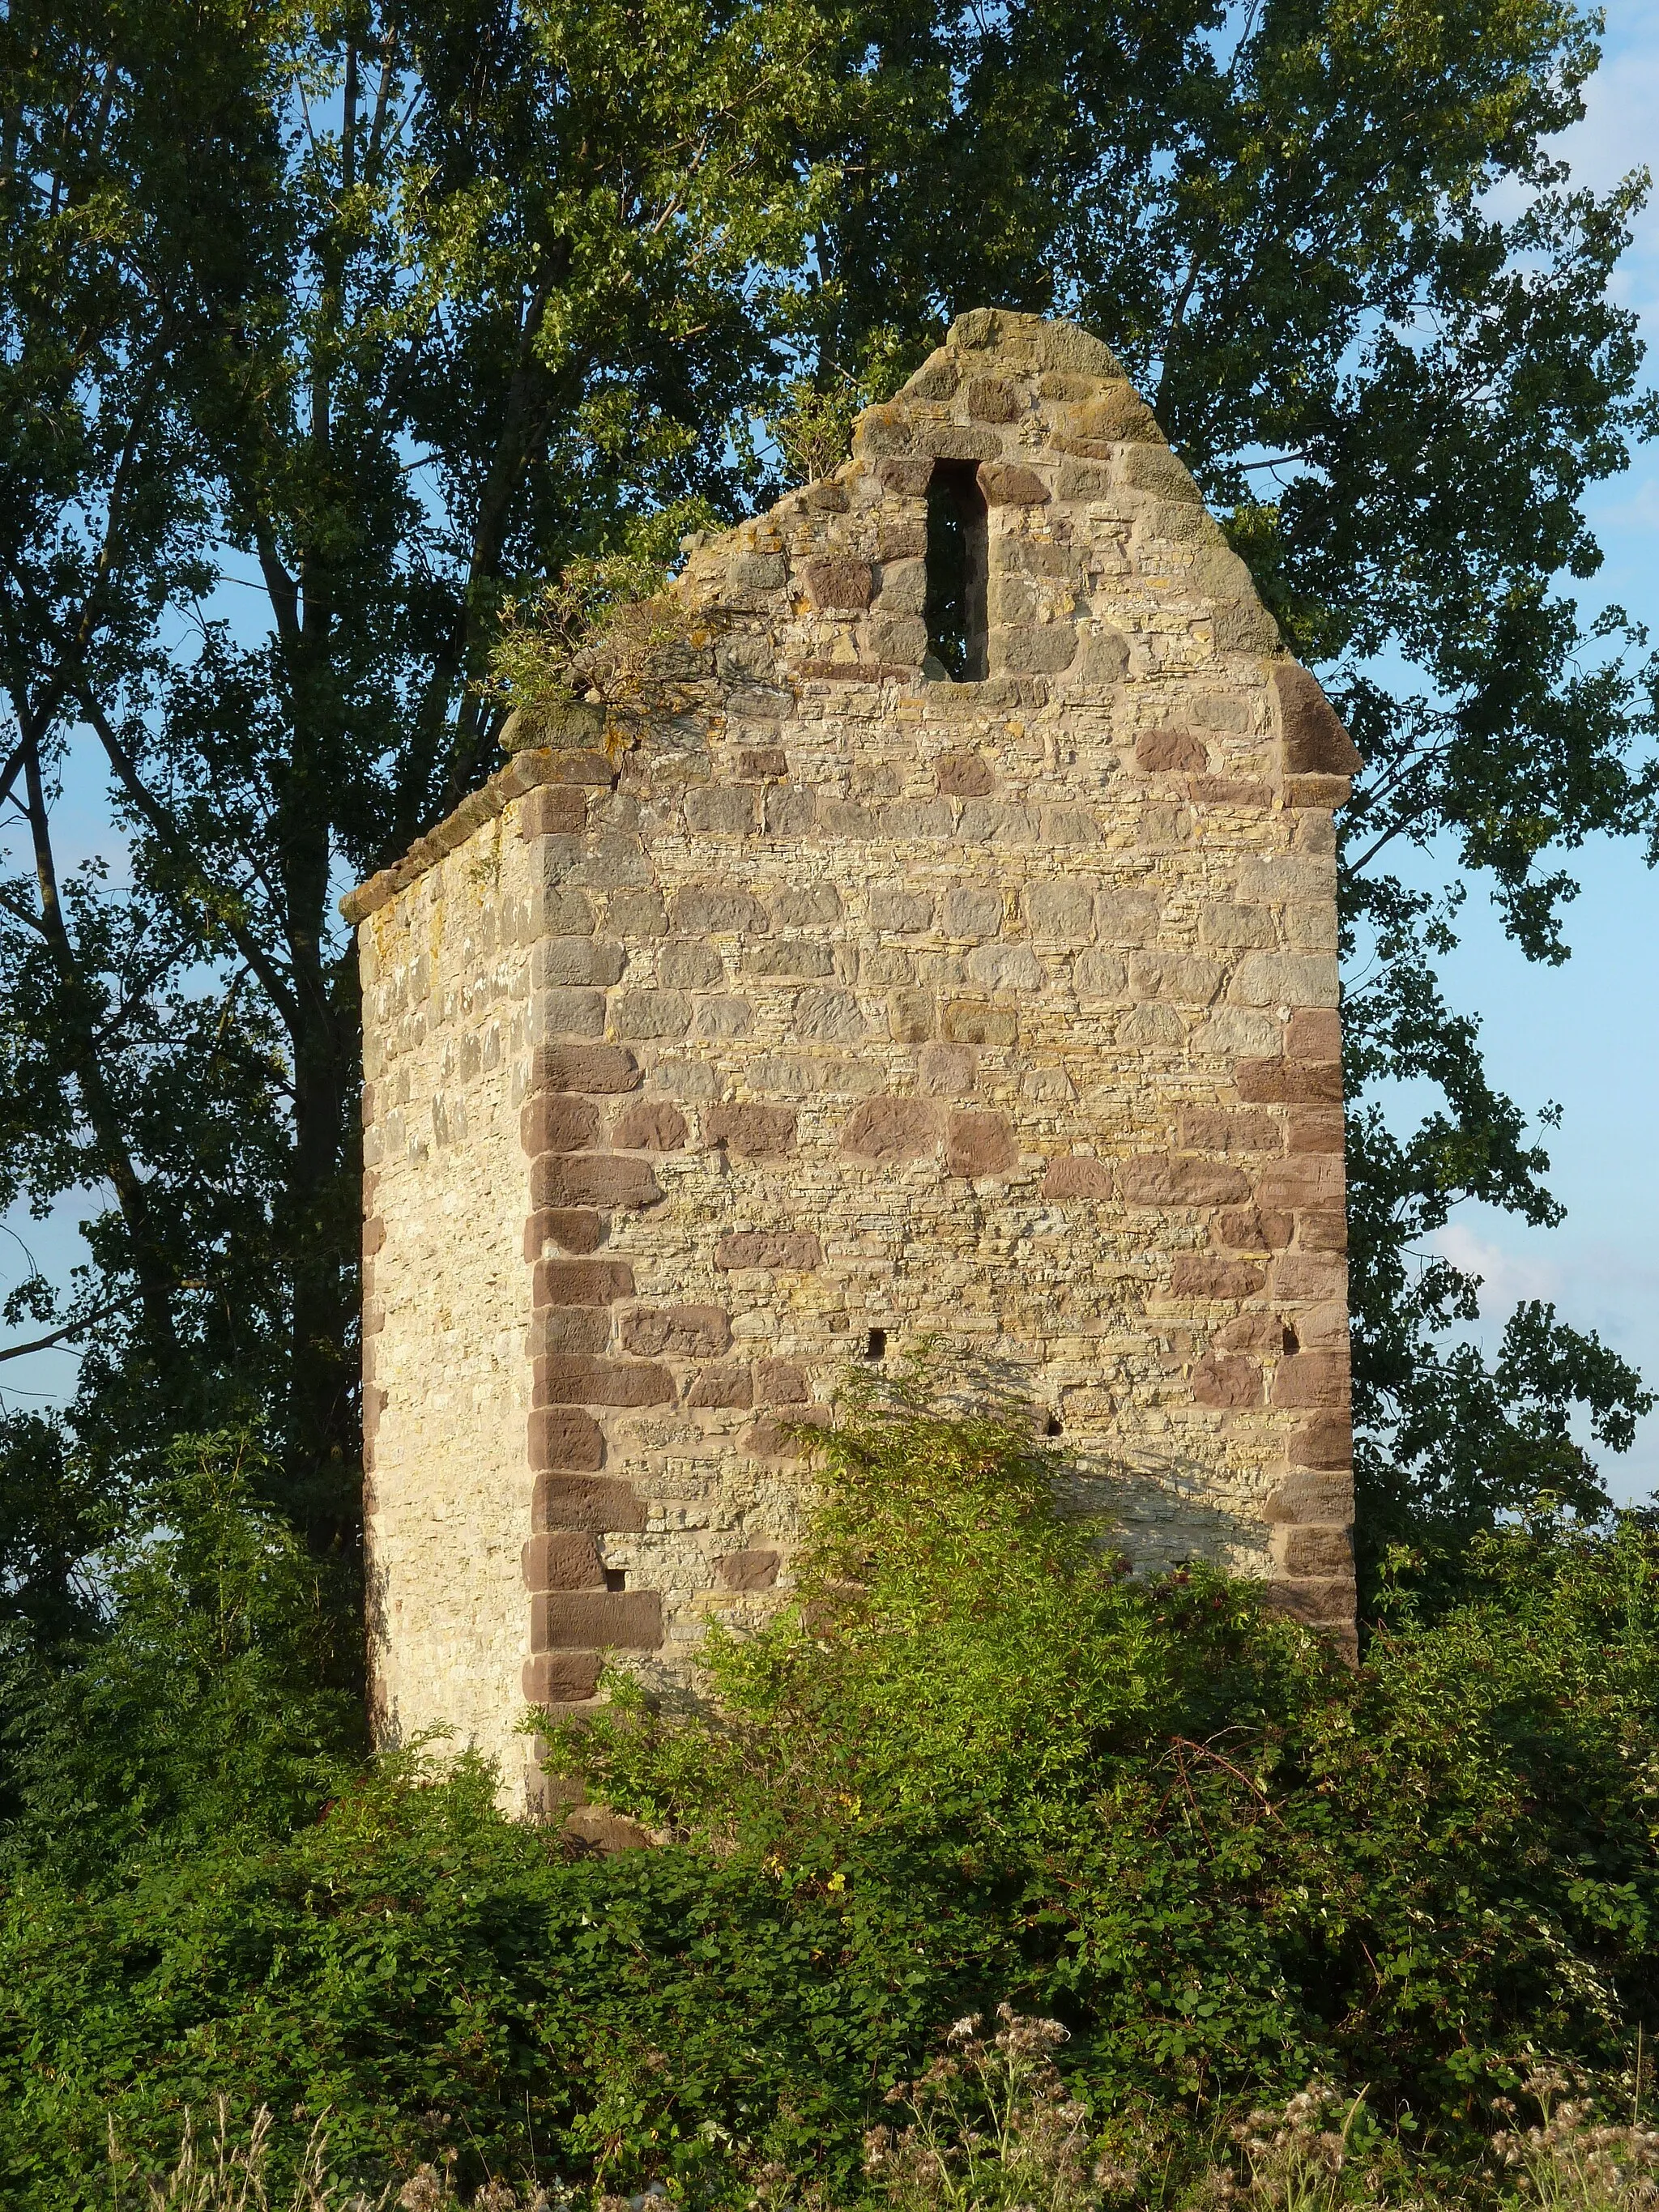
x,y
963,968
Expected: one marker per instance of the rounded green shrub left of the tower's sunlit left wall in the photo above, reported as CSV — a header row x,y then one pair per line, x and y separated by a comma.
x,y
209,1687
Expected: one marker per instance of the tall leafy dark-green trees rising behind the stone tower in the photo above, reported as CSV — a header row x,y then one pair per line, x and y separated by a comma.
x,y
326,331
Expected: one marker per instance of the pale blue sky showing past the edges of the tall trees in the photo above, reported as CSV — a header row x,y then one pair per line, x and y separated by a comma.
x,y
1585,1036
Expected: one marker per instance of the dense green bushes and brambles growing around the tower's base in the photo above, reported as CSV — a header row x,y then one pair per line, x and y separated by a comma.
x,y
974,1766
